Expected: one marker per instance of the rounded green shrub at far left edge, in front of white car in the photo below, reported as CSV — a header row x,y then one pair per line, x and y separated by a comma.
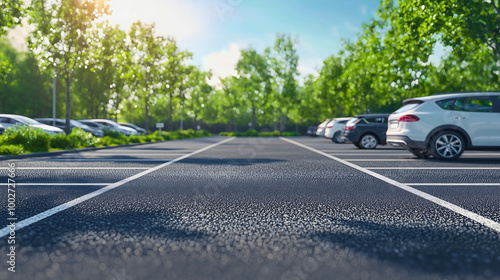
x,y
32,139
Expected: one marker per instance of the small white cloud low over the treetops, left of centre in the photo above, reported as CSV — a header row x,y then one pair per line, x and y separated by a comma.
x,y
223,63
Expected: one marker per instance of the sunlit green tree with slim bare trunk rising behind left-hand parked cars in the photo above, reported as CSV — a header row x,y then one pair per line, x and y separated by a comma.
x,y
60,36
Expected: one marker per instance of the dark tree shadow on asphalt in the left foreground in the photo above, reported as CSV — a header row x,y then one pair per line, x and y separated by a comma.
x,y
116,227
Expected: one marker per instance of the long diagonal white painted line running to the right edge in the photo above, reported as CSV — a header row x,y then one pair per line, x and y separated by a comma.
x,y
457,209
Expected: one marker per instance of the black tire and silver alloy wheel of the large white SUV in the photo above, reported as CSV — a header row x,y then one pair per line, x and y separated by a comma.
x,y
447,145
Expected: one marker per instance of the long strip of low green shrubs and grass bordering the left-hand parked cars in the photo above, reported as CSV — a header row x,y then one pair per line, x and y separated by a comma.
x,y
25,139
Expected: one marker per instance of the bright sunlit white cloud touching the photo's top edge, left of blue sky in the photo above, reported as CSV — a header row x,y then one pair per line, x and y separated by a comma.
x,y
176,18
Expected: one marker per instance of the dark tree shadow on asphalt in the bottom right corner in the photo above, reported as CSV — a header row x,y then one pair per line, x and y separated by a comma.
x,y
433,250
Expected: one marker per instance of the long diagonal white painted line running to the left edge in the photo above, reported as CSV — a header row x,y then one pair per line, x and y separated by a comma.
x,y
31,220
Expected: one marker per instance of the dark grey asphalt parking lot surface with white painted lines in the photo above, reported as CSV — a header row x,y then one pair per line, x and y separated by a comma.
x,y
251,208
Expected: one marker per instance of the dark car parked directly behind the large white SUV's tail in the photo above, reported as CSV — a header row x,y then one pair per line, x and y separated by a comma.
x,y
366,131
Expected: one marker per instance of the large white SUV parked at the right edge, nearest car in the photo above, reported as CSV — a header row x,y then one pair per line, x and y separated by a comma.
x,y
445,125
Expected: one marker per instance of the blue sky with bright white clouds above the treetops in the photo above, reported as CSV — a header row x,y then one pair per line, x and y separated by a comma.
x,y
215,31
